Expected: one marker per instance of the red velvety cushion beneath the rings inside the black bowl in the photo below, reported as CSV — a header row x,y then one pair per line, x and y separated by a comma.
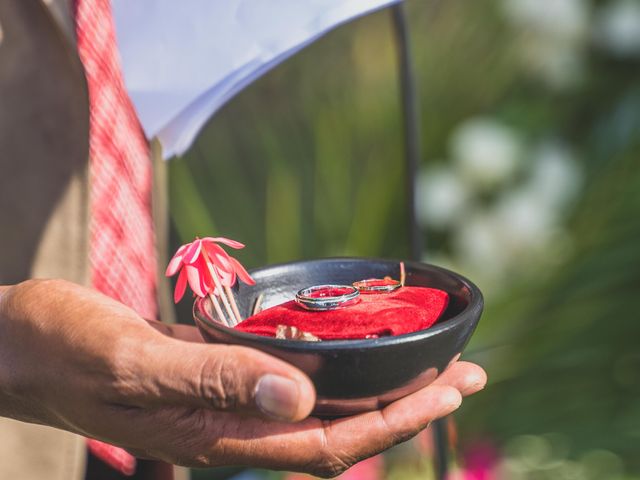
x,y
406,310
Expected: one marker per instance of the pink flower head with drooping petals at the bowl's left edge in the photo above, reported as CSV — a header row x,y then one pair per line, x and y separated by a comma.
x,y
199,260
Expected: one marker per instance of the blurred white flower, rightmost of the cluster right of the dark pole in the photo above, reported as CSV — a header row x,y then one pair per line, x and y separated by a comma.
x,y
555,177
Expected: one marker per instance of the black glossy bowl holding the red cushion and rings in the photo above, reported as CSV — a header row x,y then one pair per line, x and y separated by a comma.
x,y
353,376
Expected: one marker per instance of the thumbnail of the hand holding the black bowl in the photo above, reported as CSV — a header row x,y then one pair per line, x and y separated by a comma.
x,y
277,397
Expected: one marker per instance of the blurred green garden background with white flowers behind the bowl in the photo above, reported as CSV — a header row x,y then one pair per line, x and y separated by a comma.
x,y
529,185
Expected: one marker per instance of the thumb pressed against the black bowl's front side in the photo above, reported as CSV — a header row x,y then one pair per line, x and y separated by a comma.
x,y
228,378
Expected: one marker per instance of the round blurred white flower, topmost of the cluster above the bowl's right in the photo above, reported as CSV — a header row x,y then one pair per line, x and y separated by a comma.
x,y
486,153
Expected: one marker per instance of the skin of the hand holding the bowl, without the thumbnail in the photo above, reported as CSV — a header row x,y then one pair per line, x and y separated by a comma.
x,y
76,360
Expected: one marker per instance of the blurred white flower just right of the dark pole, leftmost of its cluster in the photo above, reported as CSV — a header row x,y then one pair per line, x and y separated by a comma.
x,y
440,197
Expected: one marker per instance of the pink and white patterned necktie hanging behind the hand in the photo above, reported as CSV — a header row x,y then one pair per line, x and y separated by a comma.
x,y
121,253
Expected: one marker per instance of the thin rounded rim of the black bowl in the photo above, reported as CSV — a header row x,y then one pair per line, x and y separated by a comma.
x,y
476,303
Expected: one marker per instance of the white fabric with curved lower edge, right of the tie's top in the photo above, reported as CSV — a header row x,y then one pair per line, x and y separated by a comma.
x,y
183,60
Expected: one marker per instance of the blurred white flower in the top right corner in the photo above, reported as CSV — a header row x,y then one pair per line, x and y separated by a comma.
x,y
618,27
